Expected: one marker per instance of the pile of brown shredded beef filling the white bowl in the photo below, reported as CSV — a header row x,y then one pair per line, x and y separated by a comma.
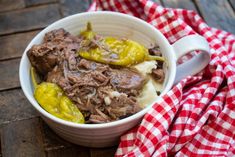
x,y
102,93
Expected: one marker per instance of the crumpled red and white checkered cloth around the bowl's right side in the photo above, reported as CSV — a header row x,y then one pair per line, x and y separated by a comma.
x,y
197,117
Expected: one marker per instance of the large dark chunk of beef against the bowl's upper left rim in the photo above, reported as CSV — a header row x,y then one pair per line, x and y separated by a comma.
x,y
58,45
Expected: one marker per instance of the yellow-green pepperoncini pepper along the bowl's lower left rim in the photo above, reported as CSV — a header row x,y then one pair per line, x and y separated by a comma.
x,y
52,98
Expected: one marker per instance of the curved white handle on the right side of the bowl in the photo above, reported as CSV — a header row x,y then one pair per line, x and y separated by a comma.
x,y
197,62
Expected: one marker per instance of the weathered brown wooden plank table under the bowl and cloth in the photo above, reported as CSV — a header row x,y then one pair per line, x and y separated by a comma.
x,y
22,132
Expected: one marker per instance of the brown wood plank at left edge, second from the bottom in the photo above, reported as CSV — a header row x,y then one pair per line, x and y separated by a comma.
x,y
14,106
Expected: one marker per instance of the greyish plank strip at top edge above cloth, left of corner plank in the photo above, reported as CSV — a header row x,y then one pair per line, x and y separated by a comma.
x,y
183,4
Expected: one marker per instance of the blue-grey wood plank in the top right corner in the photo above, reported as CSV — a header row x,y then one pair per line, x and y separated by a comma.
x,y
219,14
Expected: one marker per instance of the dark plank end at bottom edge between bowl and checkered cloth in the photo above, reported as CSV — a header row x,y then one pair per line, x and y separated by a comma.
x,y
104,152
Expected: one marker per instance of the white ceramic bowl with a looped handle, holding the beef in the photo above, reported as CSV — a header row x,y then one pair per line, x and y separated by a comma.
x,y
119,25
